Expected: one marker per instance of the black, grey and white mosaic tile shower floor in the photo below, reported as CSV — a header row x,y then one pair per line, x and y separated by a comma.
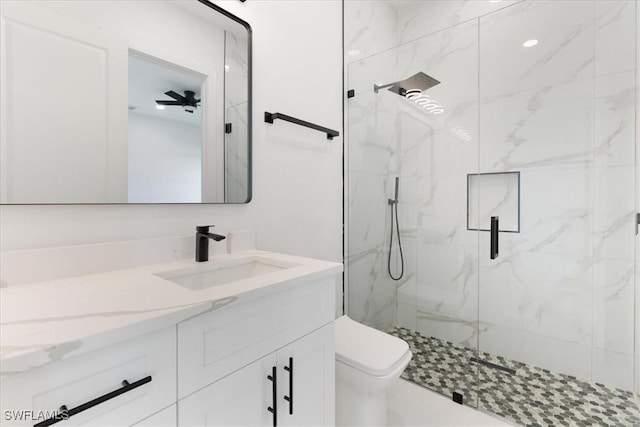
x,y
521,393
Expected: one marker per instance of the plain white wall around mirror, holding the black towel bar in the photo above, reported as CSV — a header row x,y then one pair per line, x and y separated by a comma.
x,y
297,175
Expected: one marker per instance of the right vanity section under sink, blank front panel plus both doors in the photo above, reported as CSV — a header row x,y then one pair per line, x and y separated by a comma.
x,y
225,359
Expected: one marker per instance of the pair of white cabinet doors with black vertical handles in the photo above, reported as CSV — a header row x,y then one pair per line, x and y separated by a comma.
x,y
302,392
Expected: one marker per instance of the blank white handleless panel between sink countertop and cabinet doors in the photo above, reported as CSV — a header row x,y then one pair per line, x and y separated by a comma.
x,y
214,344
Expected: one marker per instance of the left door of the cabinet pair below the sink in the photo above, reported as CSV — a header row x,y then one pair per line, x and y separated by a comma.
x,y
239,399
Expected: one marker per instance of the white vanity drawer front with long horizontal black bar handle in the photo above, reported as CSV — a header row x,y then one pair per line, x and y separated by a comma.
x,y
35,395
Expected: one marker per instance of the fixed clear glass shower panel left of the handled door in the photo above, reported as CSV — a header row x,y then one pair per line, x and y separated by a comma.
x,y
429,142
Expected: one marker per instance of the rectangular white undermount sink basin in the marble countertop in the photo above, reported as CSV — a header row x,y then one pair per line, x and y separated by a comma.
x,y
210,274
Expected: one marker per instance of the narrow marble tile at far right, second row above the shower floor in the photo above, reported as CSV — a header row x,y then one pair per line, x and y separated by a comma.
x,y
613,306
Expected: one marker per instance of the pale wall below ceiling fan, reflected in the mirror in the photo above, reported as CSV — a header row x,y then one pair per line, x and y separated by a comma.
x,y
164,160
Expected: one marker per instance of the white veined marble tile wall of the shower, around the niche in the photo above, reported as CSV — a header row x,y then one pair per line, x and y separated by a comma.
x,y
562,293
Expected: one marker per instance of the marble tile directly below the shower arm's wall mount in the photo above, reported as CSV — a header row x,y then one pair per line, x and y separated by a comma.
x,y
372,132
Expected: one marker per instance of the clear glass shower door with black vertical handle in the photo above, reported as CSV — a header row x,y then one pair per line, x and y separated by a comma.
x,y
557,163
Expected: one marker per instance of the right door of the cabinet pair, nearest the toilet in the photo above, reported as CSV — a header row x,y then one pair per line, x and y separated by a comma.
x,y
306,380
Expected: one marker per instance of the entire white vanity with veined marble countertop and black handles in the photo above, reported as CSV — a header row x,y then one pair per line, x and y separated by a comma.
x,y
255,351
